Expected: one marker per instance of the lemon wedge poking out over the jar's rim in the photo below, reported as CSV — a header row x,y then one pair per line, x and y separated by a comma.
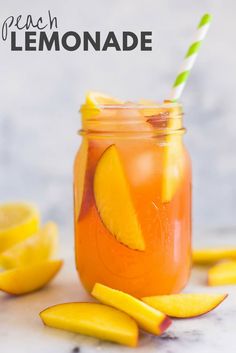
x,y
95,99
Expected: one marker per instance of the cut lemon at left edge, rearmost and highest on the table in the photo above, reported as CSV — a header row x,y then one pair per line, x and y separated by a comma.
x,y
17,222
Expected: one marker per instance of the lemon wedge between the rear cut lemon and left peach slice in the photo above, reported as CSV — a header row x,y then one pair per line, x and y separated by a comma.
x,y
36,248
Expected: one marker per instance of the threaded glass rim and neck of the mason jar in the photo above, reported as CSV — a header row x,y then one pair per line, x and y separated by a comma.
x,y
140,118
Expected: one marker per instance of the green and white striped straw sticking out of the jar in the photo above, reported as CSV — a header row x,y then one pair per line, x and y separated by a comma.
x,y
190,58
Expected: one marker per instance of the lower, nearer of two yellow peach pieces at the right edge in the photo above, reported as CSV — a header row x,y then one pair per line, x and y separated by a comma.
x,y
222,274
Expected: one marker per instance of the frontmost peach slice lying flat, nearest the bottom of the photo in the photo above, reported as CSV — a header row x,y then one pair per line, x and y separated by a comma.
x,y
94,320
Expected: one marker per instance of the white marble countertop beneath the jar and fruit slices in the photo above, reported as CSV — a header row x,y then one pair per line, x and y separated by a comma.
x,y
22,331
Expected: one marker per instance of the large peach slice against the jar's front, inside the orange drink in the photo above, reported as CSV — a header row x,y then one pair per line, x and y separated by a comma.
x,y
113,200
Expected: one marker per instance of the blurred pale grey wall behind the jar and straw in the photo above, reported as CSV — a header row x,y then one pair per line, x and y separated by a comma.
x,y
40,94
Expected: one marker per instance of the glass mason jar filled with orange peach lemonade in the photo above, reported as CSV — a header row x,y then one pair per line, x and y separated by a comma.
x,y
132,199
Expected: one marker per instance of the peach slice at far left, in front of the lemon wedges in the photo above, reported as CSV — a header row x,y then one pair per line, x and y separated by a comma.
x,y
27,279
